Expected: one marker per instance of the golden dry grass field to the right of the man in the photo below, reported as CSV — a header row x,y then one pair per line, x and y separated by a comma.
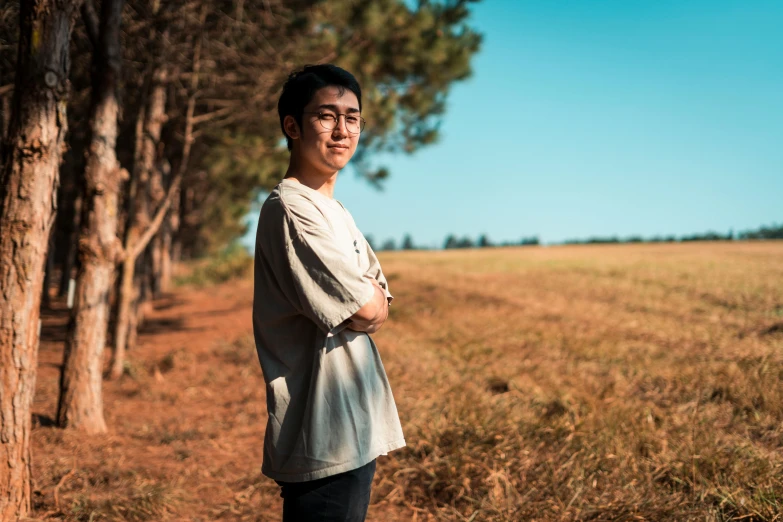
x,y
588,383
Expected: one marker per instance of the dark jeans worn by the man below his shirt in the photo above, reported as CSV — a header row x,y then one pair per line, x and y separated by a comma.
x,y
340,498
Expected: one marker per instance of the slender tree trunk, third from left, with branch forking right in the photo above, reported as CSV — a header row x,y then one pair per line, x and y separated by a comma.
x,y
139,217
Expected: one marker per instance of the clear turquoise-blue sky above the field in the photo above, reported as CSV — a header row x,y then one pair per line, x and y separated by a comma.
x,y
600,117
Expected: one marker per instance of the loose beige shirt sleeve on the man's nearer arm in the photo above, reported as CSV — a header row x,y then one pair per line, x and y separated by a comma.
x,y
330,287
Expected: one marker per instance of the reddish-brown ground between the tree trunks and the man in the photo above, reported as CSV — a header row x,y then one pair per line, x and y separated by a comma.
x,y
186,422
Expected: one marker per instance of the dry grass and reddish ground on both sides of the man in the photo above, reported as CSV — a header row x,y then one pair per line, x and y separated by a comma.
x,y
627,382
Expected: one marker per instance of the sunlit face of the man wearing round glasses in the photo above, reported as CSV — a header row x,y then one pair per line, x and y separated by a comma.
x,y
325,150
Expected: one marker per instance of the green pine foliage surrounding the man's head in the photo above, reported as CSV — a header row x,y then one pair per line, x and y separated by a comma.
x,y
406,57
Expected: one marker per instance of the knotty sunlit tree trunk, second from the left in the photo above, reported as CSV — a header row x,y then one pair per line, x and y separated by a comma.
x,y
81,398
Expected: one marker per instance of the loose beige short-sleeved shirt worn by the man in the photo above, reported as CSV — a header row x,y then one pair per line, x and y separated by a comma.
x,y
330,405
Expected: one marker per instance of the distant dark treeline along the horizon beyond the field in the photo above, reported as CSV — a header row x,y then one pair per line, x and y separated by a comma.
x,y
483,241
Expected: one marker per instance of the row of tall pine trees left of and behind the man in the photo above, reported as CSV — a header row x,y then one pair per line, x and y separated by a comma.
x,y
136,133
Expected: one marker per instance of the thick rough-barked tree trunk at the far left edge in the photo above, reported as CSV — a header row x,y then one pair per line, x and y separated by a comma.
x,y
28,184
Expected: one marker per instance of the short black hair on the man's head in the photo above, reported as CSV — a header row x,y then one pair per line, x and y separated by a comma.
x,y
302,85
